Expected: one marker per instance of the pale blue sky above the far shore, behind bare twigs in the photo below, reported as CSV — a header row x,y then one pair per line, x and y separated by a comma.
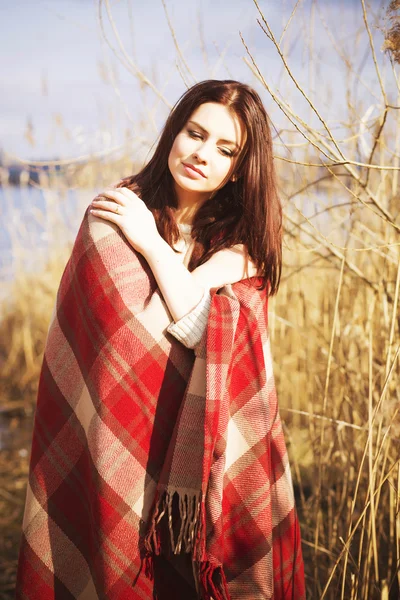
x,y
54,59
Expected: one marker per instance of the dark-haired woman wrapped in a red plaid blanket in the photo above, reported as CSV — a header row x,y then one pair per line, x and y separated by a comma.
x,y
145,453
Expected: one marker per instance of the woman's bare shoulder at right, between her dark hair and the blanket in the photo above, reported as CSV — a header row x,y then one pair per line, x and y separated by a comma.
x,y
226,266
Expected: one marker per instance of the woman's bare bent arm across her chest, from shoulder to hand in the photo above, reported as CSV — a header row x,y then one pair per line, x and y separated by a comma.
x,y
181,289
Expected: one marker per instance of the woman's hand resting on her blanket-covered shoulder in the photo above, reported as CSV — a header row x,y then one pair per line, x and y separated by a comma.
x,y
125,209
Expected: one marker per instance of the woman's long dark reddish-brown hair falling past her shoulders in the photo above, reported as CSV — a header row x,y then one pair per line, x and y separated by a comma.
x,y
245,211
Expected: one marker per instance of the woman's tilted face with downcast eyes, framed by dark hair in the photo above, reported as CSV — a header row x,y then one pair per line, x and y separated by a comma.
x,y
205,152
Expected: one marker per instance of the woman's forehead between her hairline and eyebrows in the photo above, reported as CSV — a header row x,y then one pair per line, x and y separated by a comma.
x,y
219,121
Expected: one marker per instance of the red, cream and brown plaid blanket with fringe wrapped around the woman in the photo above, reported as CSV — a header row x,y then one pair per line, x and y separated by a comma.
x,y
156,471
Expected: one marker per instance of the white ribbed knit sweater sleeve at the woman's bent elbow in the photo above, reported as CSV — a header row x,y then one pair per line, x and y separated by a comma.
x,y
190,328
